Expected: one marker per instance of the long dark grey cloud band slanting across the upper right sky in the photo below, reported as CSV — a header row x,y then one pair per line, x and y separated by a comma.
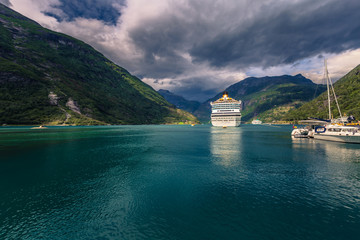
x,y
287,36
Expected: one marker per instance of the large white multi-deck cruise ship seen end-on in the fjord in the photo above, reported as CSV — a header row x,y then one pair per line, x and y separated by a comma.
x,y
226,112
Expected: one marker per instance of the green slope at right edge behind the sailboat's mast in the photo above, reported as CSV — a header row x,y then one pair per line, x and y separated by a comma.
x,y
347,91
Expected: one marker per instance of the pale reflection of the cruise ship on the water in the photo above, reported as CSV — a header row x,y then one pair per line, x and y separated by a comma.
x,y
226,145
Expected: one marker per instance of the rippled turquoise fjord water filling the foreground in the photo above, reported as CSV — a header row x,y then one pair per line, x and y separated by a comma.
x,y
176,182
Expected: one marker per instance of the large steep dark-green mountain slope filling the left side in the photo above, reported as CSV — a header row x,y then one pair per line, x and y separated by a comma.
x,y
51,78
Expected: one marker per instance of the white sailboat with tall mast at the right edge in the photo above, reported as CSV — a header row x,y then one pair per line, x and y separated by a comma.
x,y
335,129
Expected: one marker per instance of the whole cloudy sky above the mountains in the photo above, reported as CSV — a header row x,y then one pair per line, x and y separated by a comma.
x,y
197,48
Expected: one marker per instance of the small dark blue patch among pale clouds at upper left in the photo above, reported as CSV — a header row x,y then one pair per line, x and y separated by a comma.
x,y
91,9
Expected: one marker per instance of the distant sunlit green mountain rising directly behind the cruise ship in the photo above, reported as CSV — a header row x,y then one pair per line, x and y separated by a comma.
x,y
267,98
